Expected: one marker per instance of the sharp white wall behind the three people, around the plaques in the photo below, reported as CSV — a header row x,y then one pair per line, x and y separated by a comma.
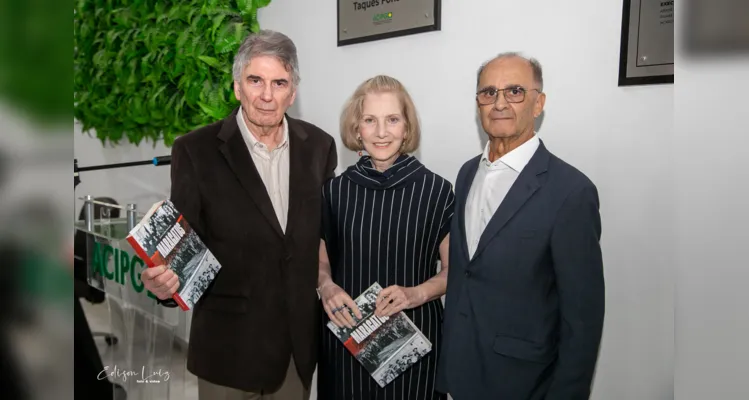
x,y
621,138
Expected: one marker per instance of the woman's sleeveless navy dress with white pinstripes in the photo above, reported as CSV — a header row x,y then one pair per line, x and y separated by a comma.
x,y
385,228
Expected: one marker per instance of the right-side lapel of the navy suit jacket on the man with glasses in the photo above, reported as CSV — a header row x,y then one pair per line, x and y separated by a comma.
x,y
526,185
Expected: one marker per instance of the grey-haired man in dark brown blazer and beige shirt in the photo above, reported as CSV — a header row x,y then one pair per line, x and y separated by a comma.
x,y
250,185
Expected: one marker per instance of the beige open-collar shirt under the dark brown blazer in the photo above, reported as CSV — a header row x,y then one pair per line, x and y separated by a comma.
x,y
273,167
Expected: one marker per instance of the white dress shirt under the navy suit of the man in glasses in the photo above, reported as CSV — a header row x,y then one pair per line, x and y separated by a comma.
x,y
491,184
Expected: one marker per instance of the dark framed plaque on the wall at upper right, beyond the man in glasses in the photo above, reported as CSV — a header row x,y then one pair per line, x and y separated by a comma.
x,y
647,42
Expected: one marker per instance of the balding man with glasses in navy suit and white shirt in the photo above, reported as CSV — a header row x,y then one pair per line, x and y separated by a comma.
x,y
525,294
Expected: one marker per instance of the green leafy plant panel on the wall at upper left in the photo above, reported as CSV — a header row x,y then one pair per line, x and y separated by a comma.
x,y
156,69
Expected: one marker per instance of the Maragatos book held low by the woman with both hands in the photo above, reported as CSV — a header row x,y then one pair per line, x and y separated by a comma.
x,y
385,346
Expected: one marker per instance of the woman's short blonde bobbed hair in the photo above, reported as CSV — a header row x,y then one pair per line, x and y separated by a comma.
x,y
353,109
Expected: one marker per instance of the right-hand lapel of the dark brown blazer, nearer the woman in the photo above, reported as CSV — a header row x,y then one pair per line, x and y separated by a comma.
x,y
299,162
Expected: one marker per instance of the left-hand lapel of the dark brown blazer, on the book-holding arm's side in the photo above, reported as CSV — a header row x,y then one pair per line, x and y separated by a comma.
x,y
235,150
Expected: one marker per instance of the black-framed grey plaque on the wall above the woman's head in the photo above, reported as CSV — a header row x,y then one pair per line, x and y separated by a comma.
x,y
370,20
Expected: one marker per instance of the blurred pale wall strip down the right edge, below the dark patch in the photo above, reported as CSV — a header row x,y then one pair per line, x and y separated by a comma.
x,y
712,188
